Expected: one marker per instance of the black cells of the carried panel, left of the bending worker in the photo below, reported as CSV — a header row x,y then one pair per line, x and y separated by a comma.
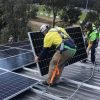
x,y
37,44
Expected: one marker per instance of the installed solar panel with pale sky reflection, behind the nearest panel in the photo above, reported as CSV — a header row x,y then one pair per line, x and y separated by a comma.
x,y
16,62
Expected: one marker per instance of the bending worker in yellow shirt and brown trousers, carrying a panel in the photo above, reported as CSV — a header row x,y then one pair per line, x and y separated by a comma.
x,y
65,50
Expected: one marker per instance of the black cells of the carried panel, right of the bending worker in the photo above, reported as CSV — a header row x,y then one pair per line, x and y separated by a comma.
x,y
76,34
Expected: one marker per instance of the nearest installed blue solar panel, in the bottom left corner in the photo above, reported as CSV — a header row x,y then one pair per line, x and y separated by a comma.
x,y
12,84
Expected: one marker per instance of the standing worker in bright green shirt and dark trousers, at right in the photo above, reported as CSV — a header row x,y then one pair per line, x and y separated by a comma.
x,y
91,38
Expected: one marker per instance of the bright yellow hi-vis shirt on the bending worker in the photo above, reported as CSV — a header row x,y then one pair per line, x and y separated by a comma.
x,y
53,37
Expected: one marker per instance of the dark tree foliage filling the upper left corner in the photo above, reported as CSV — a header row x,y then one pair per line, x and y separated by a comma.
x,y
14,17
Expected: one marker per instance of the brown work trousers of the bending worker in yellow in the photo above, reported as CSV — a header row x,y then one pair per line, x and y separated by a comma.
x,y
61,59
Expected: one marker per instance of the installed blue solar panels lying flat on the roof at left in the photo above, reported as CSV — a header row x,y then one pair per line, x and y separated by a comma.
x,y
14,56
